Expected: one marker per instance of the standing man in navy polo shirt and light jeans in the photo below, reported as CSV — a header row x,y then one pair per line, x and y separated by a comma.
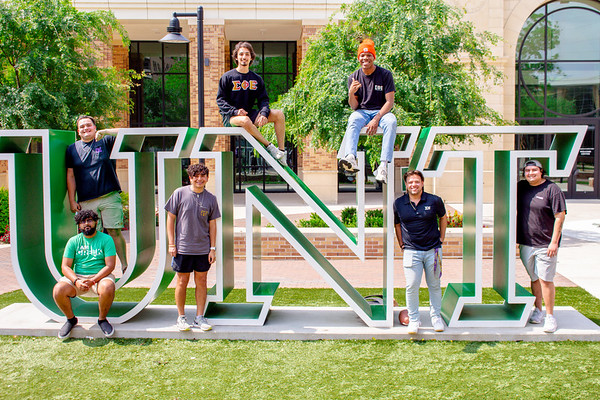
x,y
416,216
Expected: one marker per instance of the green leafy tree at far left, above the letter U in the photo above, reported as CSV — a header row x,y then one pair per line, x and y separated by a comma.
x,y
48,65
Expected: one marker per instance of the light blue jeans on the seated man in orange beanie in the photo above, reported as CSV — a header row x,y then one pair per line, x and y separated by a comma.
x,y
358,120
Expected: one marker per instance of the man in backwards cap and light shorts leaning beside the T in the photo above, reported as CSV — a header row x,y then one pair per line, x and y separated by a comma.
x,y
541,211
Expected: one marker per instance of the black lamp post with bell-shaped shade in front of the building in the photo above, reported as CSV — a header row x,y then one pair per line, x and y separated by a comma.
x,y
174,36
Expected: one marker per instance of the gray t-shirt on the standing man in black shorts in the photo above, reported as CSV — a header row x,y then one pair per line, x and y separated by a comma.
x,y
193,212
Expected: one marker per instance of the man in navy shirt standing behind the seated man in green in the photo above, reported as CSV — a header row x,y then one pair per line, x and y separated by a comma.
x,y
91,174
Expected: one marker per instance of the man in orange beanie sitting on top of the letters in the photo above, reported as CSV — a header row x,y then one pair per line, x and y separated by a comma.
x,y
371,96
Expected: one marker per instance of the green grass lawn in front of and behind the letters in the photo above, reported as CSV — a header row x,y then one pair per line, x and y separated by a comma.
x,y
45,368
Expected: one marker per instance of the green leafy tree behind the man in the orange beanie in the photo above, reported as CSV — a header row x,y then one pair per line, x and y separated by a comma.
x,y
438,61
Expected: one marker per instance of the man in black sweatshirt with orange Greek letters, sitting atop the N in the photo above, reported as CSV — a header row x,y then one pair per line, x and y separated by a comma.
x,y
239,91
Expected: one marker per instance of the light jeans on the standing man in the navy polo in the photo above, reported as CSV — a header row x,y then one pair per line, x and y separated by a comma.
x,y
415,261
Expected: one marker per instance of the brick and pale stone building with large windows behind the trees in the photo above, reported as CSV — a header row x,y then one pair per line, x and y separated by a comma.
x,y
558,84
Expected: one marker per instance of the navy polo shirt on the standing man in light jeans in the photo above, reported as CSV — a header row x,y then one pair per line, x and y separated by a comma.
x,y
419,223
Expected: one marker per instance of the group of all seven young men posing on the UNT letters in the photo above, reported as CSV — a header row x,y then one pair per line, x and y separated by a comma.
x,y
419,217
